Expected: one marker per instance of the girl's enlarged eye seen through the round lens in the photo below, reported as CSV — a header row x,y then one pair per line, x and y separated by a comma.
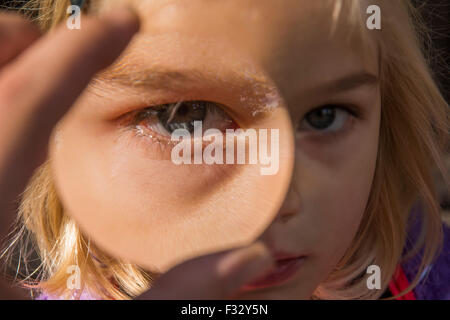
x,y
165,119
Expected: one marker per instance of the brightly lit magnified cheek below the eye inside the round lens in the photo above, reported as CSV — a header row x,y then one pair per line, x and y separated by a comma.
x,y
153,212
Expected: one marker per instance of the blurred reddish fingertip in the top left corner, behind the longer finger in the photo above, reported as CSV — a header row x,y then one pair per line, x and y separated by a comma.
x,y
16,34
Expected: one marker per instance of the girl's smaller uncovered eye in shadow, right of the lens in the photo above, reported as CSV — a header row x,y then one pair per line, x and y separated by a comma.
x,y
326,119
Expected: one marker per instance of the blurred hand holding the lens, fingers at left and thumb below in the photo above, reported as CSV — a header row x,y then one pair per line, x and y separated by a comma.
x,y
40,79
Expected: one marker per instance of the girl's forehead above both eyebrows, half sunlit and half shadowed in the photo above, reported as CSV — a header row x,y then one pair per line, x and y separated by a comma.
x,y
292,40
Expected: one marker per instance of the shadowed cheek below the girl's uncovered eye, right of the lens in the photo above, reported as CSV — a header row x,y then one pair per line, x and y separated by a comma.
x,y
335,186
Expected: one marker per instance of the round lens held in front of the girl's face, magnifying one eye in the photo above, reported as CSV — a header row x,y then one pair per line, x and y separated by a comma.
x,y
137,201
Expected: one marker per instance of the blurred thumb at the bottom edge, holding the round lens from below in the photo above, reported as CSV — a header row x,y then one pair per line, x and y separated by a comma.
x,y
216,276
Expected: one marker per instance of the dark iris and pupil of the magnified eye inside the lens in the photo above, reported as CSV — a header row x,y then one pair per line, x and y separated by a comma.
x,y
183,117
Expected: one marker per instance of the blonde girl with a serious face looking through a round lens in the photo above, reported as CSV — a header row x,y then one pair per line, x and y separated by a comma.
x,y
369,122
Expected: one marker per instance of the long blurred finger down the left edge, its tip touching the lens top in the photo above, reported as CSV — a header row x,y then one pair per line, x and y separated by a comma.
x,y
41,85
